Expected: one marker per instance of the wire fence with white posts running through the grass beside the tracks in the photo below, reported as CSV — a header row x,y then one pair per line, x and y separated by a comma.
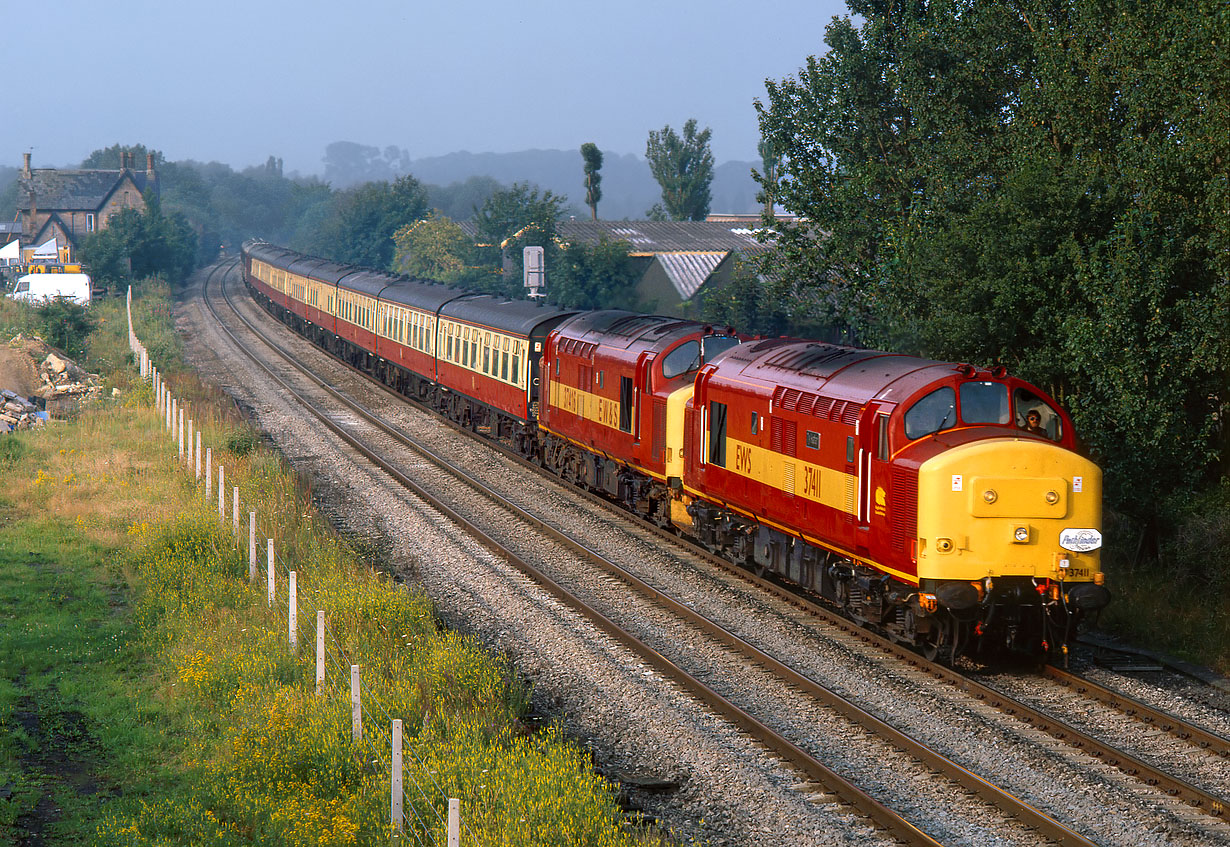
x,y
379,739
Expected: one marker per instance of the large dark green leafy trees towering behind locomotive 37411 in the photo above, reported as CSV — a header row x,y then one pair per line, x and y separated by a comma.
x,y
1041,185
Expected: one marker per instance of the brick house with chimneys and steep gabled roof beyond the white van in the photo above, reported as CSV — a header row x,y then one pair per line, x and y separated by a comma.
x,y
68,206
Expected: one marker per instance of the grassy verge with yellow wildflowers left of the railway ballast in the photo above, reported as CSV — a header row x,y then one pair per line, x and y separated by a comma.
x,y
151,696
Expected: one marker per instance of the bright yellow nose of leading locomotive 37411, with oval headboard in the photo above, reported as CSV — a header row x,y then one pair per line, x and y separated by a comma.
x,y
1009,508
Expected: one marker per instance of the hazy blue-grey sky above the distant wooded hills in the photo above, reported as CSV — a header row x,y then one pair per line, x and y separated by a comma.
x,y
238,82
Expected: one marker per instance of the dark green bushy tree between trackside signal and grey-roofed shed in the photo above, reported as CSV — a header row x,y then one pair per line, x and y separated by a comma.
x,y
601,276
